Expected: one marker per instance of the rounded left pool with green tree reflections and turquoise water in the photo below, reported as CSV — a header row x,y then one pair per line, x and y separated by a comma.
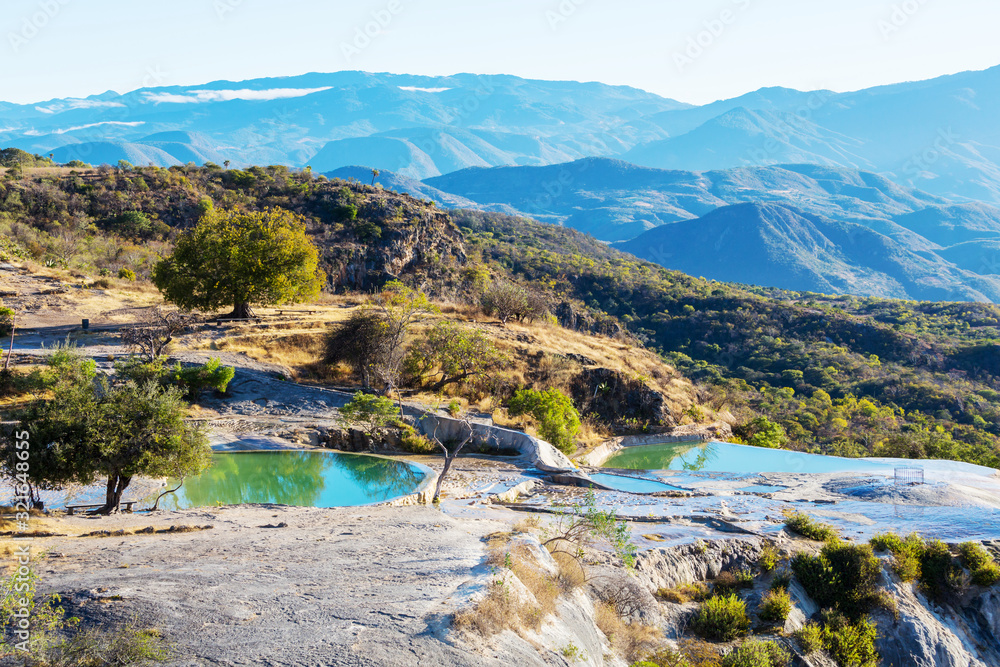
x,y
303,479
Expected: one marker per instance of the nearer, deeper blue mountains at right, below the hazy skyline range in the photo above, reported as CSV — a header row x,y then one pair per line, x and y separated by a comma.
x,y
802,227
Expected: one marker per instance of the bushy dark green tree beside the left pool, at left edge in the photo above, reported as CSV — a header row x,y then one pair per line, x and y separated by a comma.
x,y
92,428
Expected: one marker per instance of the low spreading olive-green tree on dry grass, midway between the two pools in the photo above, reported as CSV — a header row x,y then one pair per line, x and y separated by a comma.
x,y
452,353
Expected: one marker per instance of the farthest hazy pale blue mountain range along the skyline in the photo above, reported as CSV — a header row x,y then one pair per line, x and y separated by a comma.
x,y
940,135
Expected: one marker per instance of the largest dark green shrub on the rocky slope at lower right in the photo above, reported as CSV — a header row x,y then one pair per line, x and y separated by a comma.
x,y
843,576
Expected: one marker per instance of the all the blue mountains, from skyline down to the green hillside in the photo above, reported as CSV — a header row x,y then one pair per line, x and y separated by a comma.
x,y
888,191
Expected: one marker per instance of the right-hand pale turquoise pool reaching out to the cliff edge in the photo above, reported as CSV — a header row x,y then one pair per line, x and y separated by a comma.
x,y
728,458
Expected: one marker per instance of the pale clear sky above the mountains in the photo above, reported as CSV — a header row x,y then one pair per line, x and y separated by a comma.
x,y
695,51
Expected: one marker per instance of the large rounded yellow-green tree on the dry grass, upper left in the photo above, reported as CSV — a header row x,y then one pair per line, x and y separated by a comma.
x,y
241,259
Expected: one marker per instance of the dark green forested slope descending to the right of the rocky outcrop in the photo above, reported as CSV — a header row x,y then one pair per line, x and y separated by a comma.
x,y
842,375
